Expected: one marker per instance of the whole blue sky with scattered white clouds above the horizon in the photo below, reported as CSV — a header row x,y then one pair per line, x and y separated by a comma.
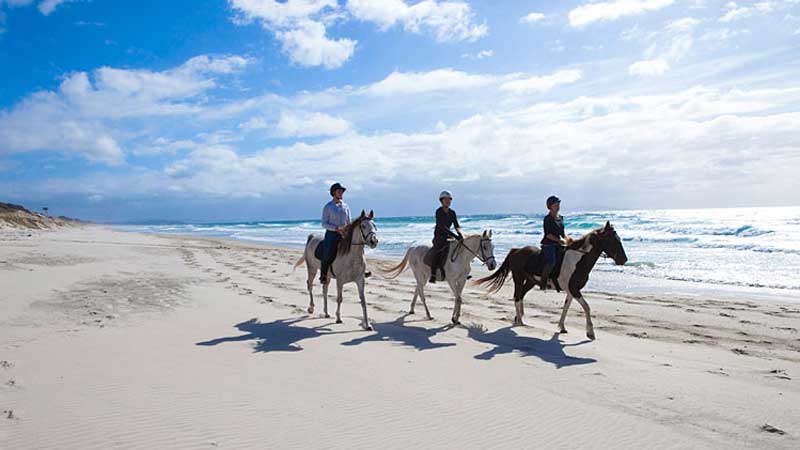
x,y
214,110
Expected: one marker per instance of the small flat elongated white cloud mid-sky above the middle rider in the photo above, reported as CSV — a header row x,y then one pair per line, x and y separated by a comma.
x,y
401,83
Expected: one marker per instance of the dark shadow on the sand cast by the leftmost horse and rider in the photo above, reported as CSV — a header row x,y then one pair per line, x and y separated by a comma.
x,y
275,336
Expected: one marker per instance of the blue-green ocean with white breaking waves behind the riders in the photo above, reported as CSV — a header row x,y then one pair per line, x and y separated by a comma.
x,y
743,252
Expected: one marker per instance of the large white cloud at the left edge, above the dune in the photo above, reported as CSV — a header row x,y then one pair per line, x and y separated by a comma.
x,y
77,118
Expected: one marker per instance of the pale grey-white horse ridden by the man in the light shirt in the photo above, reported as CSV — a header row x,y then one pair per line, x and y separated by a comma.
x,y
349,265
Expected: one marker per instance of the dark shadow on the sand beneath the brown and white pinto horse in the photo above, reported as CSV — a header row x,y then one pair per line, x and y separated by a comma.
x,y
506,340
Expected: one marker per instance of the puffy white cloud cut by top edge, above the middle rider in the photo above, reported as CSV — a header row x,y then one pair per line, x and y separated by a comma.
x,y
447,20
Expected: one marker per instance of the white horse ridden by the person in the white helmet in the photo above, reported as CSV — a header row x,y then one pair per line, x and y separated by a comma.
x,y
456,268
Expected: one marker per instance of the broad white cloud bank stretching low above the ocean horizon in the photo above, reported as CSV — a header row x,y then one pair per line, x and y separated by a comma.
x,y
700,141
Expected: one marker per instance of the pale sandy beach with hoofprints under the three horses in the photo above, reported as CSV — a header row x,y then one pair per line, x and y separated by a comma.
x,y
117,340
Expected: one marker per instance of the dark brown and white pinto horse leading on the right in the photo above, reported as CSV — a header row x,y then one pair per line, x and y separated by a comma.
x,y
579,260
